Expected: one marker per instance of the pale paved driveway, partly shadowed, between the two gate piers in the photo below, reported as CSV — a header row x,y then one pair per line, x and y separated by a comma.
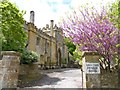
x,y
58,78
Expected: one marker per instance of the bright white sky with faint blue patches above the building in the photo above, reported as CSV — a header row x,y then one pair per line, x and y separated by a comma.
x,y
46,10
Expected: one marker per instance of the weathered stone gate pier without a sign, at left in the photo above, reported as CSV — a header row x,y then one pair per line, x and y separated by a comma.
x,y
9,69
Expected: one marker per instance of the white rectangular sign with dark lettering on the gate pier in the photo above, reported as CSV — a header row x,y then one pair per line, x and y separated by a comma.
x,y
92,68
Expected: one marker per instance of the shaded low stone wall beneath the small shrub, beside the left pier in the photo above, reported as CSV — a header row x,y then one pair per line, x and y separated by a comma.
x,y
27,73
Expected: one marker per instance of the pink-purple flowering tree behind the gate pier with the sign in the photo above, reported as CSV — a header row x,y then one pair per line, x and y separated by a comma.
x,y
92,30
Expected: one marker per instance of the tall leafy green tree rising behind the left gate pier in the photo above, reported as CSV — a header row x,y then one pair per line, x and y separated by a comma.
x,y
14,36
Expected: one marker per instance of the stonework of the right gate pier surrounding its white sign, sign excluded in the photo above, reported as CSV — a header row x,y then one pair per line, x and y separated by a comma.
x,y
90,80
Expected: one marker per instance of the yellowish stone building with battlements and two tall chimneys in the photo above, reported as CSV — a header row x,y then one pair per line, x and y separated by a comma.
x,y
47,42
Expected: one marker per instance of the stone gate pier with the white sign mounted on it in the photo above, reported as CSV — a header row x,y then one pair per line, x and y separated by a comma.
x,y
91,70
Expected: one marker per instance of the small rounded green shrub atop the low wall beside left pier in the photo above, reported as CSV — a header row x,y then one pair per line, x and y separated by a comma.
x,y
29,57
